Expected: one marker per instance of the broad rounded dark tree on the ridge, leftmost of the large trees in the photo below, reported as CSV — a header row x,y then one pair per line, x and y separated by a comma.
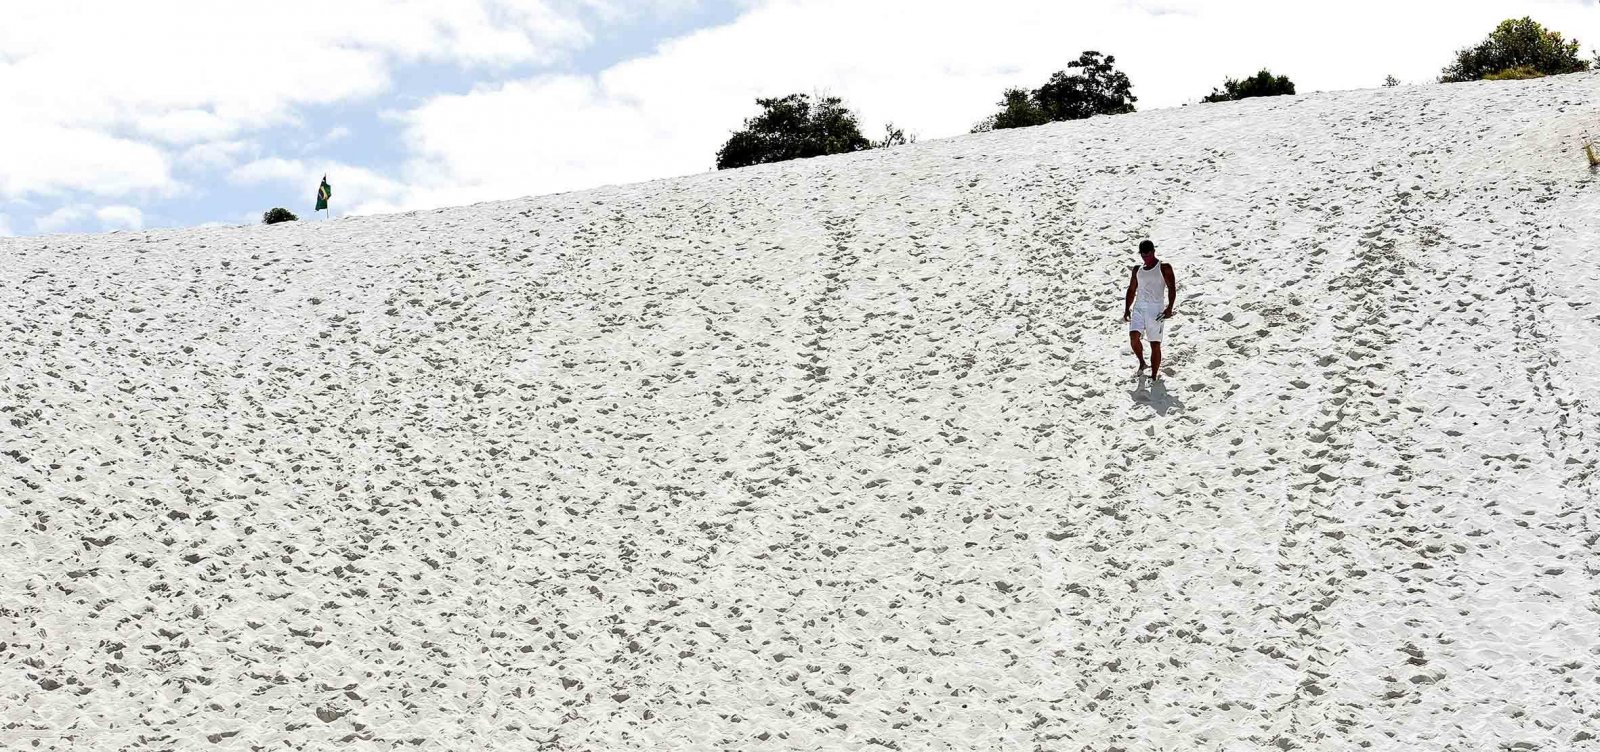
x,y
793,127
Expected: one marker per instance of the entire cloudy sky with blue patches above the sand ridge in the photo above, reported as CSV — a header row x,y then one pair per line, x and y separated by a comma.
x,y
178,113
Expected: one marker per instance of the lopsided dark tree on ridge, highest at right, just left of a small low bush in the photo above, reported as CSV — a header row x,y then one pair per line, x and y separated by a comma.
x,y
1089,87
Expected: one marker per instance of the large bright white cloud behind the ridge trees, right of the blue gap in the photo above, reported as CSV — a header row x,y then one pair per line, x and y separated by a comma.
x,y
932,68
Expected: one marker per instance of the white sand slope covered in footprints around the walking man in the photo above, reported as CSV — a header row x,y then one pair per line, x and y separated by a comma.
x,y
839,454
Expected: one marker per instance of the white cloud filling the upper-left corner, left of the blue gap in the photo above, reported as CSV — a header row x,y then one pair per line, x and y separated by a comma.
x,y
95,90
